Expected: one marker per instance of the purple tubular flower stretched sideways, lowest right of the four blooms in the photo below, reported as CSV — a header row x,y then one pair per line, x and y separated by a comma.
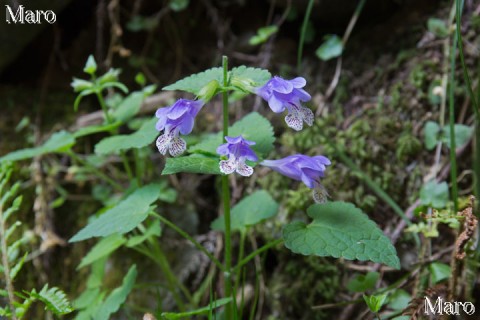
x,y
303,168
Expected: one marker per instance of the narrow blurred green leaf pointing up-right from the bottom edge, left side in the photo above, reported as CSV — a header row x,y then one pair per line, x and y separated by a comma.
x,y
117,297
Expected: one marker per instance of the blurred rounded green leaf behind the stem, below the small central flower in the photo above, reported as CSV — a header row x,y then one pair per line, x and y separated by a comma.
x,y
251,210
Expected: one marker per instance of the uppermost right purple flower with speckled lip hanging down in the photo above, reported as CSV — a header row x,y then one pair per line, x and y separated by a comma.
x,y
284,94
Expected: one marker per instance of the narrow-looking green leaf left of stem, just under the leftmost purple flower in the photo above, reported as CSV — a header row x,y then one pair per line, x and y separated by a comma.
x,y
192,164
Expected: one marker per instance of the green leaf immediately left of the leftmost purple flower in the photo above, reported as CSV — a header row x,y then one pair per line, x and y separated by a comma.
x,y
139,139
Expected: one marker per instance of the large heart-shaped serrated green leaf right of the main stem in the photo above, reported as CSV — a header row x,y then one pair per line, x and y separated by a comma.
x,y
339,229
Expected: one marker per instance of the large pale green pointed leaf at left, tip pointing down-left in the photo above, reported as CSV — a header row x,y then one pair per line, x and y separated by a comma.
x,y
124,217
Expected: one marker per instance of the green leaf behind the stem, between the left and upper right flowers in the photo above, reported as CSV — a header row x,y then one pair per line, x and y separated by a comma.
x,y
252,127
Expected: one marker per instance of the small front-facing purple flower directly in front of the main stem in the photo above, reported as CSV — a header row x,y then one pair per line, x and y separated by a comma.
x,y
238,150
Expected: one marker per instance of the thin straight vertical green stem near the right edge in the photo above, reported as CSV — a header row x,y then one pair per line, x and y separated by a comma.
x,y
451,116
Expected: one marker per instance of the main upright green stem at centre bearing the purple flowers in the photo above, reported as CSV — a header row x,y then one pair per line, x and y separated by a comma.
x,y
226,200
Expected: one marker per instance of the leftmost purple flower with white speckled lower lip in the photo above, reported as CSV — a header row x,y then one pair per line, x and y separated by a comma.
x,y
176,119
